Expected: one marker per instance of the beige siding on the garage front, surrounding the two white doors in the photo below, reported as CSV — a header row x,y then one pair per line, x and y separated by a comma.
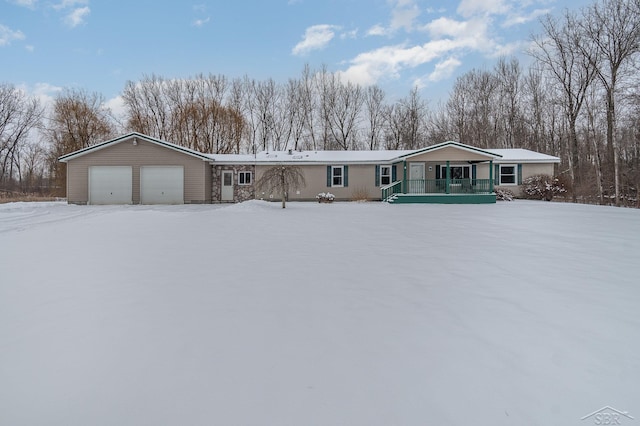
x,y
197,175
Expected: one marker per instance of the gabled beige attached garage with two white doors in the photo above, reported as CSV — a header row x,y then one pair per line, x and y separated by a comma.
x,y
138,169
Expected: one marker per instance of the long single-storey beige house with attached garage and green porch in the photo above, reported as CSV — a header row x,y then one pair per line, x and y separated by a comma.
x,y
138,169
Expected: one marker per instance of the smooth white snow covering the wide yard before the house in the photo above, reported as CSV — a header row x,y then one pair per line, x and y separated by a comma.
x,y
520,313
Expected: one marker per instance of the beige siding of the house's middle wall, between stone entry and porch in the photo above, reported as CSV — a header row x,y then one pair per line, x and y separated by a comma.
x,y
361,181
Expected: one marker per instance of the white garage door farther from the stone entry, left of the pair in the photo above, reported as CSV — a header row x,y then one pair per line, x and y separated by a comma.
x,y
110,185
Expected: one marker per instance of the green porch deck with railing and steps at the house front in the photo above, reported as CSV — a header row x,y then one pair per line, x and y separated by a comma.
x,y
440,191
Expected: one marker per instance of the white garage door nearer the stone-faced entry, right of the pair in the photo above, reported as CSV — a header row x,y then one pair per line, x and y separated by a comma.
x,y
162,185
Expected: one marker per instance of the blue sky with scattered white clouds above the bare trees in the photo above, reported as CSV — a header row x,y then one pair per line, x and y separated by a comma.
x,y
397,44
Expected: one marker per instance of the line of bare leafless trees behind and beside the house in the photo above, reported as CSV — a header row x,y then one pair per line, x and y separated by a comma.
x,y
578,100
